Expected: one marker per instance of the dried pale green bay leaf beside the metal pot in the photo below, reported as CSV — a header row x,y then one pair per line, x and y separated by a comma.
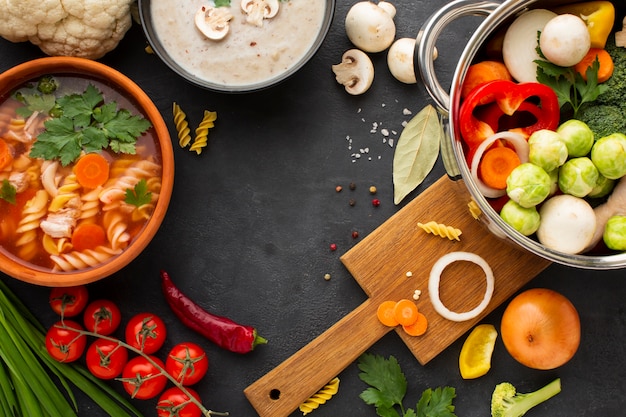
x,y
416,152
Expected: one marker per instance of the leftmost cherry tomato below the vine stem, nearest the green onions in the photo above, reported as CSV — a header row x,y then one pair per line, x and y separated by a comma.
x,y
63,343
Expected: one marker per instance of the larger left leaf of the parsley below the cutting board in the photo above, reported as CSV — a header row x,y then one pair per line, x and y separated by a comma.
x,y
388,383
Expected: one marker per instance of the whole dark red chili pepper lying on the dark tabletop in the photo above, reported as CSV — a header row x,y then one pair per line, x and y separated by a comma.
x,y
220,330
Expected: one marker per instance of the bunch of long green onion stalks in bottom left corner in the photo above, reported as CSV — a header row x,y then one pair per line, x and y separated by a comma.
x,y
32,383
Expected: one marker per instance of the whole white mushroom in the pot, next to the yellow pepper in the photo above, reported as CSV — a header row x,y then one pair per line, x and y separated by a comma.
x,y
565,40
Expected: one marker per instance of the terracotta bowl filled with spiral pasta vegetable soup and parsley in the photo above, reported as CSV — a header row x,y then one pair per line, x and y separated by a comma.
x,y
40,218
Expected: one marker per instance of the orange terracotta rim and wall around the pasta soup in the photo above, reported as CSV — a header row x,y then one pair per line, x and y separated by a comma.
x,y
33,273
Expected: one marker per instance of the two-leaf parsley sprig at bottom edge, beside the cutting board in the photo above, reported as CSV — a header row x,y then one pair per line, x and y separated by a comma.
x,y
388,387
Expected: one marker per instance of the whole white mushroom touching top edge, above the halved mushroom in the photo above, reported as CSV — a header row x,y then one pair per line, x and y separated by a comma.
x,y
370,27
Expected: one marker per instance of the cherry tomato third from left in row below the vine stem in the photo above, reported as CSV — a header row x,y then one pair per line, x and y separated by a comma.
x,y
141,379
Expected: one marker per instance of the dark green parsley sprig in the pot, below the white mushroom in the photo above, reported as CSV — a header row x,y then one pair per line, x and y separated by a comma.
x,y
569,86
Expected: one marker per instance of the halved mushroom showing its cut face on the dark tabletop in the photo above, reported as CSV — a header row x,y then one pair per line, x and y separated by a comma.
x,y
355,72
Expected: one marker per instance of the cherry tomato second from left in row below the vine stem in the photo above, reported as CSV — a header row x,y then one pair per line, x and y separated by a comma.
x,y
106,359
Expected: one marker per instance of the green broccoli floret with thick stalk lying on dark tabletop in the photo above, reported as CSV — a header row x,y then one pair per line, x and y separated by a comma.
x,y
506,402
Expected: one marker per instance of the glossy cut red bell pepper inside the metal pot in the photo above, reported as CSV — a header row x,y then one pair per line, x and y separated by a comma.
x,y
482,109
